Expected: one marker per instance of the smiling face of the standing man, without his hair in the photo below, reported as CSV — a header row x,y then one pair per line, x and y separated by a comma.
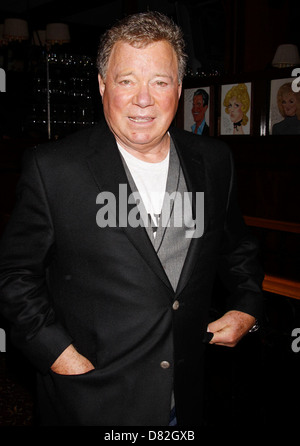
x,y
140,94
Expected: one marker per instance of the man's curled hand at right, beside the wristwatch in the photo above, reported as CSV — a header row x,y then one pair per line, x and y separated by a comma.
x,y
230,328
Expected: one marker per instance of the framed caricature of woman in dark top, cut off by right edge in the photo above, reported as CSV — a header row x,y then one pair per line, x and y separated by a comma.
x,y
284,113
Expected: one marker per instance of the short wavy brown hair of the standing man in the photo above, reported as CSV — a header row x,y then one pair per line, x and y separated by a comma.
x,y
139,30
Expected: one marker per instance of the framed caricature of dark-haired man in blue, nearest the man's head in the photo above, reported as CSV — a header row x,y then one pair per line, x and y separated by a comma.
x,y
197,110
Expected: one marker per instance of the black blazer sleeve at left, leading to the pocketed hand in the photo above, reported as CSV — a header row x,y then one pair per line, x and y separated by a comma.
x,y
25,253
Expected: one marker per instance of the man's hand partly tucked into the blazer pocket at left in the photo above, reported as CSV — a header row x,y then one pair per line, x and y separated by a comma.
x,y
70,362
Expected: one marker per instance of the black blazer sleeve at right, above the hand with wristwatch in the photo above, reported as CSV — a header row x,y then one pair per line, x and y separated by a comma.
x,y
239,262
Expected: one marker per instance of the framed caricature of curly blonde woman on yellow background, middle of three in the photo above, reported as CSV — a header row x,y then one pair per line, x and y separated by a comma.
x,y
236,109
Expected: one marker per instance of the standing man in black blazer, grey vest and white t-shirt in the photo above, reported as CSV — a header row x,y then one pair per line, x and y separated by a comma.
x,y
112,314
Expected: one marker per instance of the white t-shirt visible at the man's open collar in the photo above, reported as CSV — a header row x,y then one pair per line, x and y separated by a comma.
x,y
150,180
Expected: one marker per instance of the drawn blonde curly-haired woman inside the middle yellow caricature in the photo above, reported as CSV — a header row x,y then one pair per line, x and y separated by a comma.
x,y
237,104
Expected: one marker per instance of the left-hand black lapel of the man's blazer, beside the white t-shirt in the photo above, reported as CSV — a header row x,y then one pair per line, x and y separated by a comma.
x,y
109,174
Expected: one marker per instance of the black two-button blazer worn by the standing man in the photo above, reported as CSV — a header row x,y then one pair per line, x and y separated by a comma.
x,y
63,279
